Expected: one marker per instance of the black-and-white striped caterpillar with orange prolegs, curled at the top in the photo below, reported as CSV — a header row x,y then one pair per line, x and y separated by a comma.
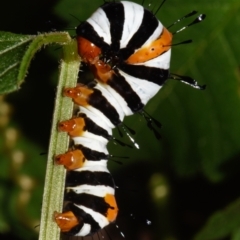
x,y
128,51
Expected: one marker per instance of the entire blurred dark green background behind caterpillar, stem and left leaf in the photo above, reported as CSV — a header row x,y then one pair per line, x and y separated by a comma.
x,y
186,184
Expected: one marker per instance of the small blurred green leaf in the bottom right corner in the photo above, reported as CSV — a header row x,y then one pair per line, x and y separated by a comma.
x,y
222,224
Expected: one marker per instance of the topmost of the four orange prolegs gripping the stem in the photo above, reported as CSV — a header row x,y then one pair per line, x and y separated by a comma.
x,y
79,94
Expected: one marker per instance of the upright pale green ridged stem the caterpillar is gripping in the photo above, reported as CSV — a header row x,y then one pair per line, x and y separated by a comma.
x,y
55,175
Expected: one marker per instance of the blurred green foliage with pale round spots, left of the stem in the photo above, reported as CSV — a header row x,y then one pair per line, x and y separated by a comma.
x,y
18,185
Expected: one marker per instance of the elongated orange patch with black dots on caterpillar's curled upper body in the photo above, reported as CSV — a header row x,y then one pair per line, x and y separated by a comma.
x,y
154,49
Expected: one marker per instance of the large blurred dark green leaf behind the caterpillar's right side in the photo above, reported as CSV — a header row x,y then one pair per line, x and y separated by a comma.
x,y
202,127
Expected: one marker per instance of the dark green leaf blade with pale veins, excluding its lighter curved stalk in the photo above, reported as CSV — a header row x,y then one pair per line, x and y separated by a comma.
x,y
12,50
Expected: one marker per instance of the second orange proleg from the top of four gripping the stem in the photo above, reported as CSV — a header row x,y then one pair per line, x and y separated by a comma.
x,y
74,127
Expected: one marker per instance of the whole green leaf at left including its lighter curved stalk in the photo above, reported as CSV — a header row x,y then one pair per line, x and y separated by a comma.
x,y
17,52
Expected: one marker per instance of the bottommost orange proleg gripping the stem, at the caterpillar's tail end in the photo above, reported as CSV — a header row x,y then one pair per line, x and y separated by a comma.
x,y
66,221
